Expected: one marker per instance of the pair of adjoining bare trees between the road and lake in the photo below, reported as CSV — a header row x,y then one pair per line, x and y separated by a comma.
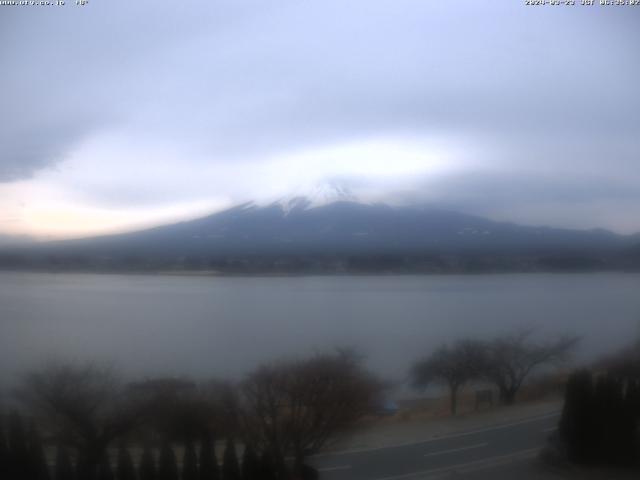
x,y
506,362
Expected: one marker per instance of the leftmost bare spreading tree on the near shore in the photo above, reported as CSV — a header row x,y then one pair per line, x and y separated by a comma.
x,y
84,405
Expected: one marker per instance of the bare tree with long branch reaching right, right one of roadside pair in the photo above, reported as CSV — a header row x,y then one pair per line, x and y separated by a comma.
x,y
509,359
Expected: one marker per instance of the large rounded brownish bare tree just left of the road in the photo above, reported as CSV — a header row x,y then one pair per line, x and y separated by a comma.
x,y
295,408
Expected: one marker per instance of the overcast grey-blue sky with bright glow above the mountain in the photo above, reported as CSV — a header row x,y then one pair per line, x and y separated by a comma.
x,y
123,114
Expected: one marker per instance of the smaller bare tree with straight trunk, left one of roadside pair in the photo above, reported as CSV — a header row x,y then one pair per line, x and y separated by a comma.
x,y
450,365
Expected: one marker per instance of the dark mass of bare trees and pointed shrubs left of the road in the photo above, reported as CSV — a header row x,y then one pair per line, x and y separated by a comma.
x,y
81,422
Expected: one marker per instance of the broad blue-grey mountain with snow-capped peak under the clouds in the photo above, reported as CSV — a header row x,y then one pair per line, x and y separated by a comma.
x,y
329,228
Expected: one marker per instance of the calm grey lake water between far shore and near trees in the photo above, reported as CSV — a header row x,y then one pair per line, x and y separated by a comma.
x,y
213,326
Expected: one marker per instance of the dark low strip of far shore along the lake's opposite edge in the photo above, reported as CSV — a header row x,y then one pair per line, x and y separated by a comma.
x,y
321,263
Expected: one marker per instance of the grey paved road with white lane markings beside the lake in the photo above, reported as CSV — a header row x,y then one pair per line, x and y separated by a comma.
x,y
437,456
